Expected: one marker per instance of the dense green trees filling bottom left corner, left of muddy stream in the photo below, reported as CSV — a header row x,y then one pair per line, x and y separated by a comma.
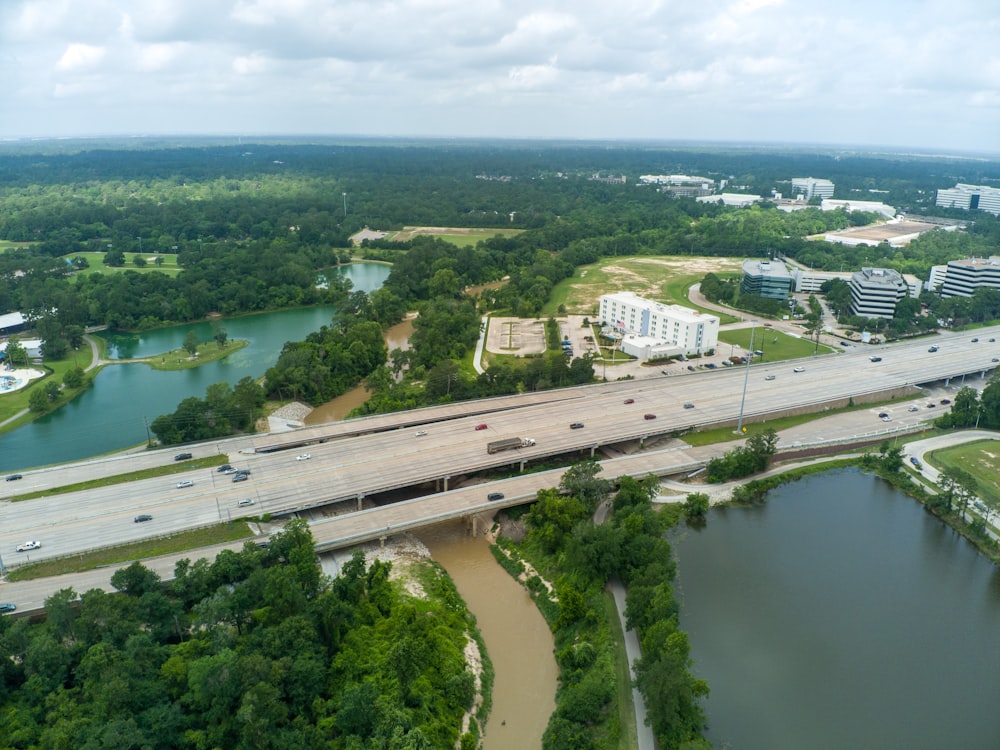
x,y
253,650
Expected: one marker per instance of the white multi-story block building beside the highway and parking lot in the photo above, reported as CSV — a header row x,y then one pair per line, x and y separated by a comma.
x,y
651,329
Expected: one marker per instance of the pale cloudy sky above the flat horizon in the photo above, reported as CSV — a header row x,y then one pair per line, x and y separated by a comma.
x,y
906,73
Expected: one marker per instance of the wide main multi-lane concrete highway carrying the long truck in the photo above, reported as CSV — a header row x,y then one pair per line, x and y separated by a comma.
x,y
375,454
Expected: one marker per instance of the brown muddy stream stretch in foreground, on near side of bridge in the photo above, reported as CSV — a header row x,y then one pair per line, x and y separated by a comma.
x,y
517,639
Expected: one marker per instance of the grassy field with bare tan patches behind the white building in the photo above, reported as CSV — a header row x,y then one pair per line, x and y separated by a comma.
x,y
662,278
